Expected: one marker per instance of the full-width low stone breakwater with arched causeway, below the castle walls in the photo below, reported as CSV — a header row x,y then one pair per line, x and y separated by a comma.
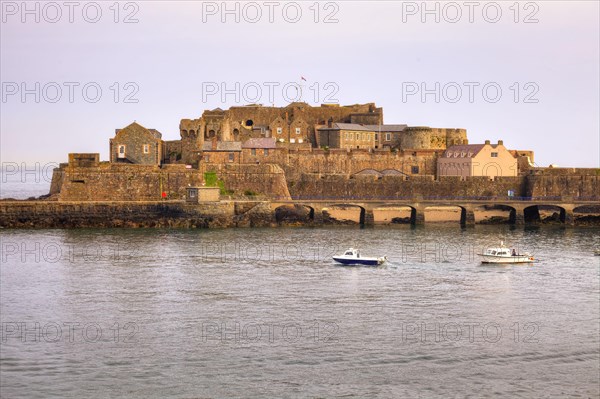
x,y
270,213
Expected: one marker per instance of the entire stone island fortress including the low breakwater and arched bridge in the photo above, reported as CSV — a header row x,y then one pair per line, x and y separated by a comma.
x,y
262,166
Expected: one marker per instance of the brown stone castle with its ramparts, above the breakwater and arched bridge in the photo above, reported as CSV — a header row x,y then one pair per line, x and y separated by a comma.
x,y
297,150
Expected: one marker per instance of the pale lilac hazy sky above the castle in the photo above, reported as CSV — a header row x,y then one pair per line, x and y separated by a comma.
x,y
523,72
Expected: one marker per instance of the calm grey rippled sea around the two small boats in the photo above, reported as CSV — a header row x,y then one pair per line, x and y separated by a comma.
x,y
266,313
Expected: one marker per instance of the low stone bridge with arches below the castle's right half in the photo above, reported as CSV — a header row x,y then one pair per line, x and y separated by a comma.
x,y
519,207
